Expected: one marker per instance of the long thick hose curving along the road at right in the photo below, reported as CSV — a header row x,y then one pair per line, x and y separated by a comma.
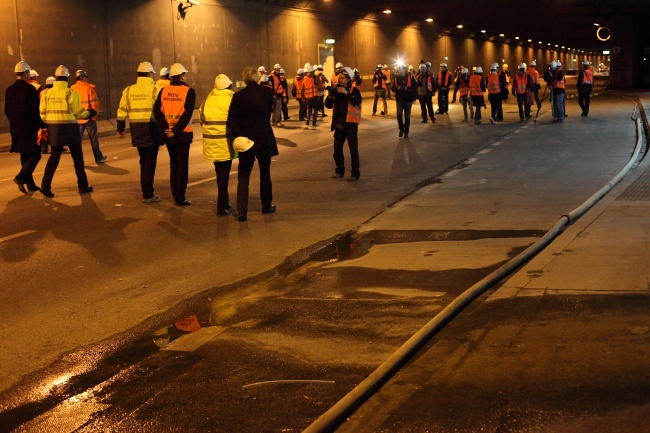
x,y
335,416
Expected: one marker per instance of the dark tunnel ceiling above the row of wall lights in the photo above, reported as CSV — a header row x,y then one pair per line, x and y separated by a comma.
x,y
568,23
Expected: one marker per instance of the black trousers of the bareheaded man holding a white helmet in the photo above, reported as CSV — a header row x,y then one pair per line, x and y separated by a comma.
x,y
246,161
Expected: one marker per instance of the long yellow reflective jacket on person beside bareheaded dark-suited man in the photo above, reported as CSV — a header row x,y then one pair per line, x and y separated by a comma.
x,y
213,114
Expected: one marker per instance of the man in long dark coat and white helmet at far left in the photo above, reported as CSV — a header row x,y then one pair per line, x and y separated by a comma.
x,y
21,108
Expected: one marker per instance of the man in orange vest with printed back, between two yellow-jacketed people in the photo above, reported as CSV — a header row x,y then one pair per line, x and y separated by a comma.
x,y
173,110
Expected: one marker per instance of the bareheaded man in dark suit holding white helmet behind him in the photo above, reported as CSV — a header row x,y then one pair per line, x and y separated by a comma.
x,y
248,116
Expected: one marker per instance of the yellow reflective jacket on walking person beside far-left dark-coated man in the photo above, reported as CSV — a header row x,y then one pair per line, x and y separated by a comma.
x,y
61,105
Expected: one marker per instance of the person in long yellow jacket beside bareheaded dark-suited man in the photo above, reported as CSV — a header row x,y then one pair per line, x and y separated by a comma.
x,y
217,143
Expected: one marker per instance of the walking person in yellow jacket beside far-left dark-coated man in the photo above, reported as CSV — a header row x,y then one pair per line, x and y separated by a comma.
x,y
60,108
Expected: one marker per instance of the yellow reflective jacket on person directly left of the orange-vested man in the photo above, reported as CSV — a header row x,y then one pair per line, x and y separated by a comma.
x,y
137,101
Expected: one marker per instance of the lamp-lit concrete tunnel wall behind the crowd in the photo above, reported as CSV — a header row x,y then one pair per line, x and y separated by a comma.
x,y
109,38
